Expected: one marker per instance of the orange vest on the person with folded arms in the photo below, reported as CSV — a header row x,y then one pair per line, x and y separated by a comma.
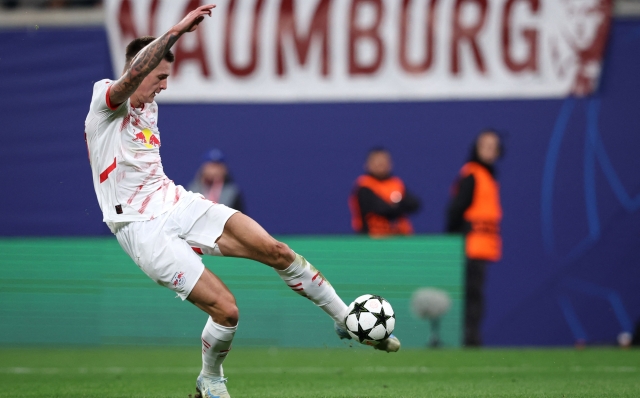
x,y
379,225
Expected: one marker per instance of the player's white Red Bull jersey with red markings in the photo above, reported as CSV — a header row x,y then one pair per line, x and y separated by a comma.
x,y
124,151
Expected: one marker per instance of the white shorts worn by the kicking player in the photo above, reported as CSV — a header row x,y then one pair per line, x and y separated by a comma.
x,y
164,247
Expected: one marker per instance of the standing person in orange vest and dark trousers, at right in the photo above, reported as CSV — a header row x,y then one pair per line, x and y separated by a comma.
x,y
475,211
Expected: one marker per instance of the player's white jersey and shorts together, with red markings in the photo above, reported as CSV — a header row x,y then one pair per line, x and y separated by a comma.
x,y
155,221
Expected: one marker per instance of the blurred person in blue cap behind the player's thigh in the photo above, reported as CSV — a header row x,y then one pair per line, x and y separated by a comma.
x,y
214,182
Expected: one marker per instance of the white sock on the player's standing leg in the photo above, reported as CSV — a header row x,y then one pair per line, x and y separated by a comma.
x,y
216,343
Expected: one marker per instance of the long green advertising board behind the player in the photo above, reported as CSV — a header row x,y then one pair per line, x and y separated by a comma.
x,y
87,291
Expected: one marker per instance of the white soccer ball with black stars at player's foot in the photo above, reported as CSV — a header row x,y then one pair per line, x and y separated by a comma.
x,y
370,319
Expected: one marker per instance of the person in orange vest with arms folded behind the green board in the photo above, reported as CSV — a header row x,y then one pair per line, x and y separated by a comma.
x,y
379,202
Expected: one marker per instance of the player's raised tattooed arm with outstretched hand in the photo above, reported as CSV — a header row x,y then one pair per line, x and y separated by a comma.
x,y
150,56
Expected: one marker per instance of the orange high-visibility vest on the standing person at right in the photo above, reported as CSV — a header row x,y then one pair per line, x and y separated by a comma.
x,y
485,213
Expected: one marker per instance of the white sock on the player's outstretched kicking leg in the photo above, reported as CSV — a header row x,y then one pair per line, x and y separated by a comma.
x,y
304,279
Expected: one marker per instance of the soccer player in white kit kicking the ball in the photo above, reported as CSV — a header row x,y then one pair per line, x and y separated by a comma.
x,y
162,226
